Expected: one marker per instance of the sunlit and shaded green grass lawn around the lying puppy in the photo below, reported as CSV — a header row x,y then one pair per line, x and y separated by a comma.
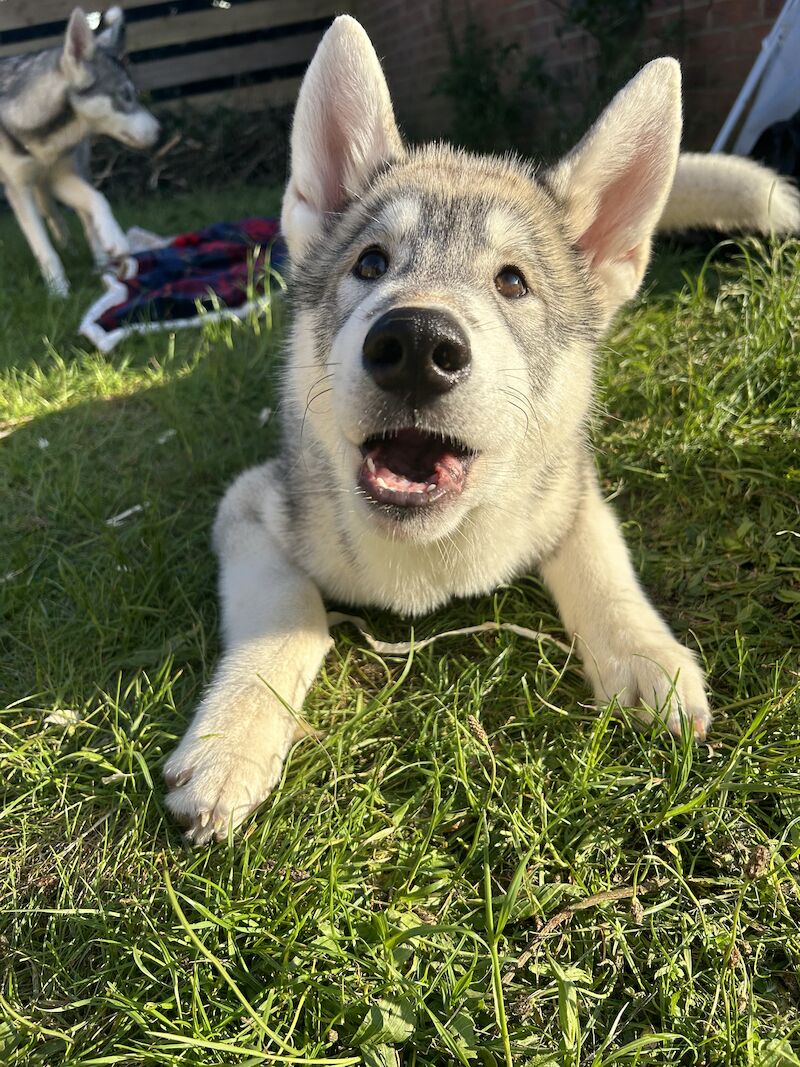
x,y
469,866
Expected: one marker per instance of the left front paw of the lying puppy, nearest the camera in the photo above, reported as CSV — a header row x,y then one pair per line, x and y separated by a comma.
x,y
228,763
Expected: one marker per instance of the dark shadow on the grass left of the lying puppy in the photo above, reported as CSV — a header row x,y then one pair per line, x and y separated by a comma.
x,y
108,511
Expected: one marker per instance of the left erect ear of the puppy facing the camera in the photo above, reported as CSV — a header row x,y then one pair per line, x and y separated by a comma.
x,y
344,130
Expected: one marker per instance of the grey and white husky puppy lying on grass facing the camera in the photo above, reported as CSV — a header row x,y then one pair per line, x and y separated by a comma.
x,y
449,308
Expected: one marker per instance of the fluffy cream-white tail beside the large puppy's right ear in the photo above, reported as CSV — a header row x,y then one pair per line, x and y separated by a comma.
x,y
730,194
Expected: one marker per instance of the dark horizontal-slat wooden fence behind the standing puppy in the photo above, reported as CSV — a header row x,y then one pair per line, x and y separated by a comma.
x,y
244,54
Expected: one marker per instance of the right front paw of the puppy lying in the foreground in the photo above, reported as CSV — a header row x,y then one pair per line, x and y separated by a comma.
x,y
663,681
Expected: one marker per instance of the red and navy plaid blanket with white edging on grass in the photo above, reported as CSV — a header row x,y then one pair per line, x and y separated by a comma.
x,y
220,272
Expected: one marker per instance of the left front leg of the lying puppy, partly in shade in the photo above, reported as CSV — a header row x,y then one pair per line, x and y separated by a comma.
x,y
277,636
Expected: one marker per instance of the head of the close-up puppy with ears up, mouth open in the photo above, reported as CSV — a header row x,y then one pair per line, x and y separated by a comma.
x,y
447,306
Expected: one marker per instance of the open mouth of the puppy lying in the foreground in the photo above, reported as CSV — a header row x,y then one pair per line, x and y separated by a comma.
x,y
412,469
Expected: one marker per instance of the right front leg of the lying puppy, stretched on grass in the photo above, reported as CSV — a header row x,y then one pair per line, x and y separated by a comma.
x,y
627,647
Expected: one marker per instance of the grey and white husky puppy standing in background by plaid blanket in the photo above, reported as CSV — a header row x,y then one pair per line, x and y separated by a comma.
x,y
51,104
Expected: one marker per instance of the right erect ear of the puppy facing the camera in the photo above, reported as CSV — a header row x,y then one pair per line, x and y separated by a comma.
x,y
616,182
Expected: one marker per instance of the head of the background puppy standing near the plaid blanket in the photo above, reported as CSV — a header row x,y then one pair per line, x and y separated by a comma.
x,y
101,89
